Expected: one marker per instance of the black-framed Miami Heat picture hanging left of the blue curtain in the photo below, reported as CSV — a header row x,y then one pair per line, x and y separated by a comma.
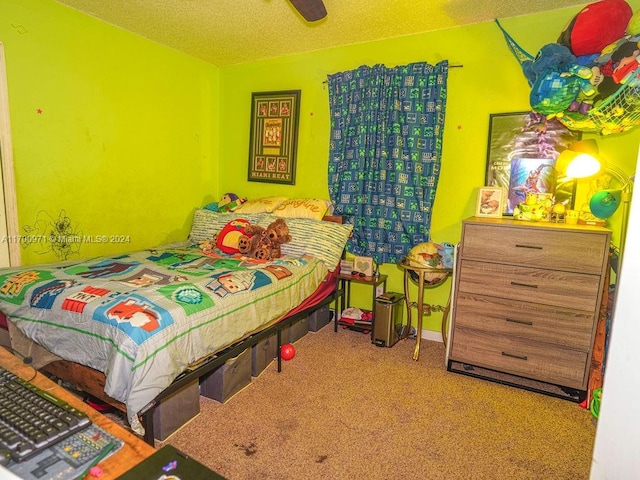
x,y
273,140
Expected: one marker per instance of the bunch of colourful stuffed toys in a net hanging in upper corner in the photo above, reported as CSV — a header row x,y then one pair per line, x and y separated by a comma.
x,y
589,79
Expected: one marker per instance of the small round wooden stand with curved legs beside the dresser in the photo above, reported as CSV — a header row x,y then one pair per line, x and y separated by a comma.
x,y
426,277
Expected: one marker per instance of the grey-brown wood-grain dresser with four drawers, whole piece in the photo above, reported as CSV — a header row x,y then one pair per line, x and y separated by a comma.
x,y
526,302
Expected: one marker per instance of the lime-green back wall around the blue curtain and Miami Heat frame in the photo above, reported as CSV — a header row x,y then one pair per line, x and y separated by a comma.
x,y
490,81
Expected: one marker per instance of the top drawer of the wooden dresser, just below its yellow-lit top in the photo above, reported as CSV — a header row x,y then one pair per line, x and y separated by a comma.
x,y
536,246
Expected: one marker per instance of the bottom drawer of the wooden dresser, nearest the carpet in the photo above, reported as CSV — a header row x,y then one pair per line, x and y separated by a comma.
x,y
539,361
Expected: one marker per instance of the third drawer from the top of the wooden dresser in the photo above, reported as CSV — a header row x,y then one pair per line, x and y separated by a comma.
x,y
536,322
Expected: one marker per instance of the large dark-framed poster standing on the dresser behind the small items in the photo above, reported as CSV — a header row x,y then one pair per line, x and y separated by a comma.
x,y
519,140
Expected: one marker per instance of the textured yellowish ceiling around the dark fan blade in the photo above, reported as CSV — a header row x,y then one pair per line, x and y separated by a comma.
x,y
227,32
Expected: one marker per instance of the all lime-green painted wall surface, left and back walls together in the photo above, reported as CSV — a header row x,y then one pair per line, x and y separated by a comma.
x,y
134,136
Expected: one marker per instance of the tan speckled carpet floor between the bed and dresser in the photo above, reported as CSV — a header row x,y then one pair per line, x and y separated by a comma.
x,y
343,408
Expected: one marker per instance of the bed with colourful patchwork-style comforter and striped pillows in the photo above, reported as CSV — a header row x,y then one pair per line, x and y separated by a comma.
x,y
147,322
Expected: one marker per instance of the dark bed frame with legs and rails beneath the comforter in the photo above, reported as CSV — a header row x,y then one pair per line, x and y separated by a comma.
x,y
92,381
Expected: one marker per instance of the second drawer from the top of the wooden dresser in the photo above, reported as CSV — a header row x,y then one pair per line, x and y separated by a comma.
x,y
551,287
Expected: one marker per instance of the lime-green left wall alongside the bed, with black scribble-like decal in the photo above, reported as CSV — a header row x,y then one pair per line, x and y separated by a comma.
x,y
115,131
